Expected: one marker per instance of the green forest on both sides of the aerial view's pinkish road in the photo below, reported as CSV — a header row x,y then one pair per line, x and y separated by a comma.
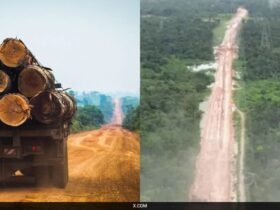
x,y
175,34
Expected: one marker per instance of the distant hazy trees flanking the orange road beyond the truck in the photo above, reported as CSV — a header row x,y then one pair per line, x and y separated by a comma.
x,y
96,109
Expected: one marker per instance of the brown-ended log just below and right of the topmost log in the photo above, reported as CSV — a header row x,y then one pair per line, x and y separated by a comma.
x,y
34,79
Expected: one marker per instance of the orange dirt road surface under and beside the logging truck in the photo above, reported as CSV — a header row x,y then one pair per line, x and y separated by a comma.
x,y
103,166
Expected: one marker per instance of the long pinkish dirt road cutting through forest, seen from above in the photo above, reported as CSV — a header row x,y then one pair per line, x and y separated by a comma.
x,y
214,166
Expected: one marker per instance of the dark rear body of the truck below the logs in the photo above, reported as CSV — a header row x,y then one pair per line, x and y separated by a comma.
x,y
35,150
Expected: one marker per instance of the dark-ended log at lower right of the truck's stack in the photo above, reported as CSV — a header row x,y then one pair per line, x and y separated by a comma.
x,y
51,106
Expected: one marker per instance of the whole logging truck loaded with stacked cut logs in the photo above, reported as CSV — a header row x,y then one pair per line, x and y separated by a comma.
x,y
35,118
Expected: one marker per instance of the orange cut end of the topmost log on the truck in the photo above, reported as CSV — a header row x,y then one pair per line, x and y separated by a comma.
x,y
12,52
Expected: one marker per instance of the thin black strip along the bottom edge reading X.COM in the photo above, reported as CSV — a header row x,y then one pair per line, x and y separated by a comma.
x,y
141,205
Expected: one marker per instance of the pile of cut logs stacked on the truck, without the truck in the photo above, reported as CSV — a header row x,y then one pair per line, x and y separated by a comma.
x,y
28,90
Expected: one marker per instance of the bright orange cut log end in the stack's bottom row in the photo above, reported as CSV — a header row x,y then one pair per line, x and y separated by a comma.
x,y
14,109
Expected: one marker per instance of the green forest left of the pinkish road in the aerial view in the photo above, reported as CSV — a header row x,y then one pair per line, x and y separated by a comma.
x,y
174,35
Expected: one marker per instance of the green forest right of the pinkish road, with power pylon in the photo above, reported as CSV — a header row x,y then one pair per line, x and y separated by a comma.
x,y
259,99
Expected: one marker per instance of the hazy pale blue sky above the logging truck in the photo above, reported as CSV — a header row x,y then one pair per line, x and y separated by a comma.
x,y
90,44
